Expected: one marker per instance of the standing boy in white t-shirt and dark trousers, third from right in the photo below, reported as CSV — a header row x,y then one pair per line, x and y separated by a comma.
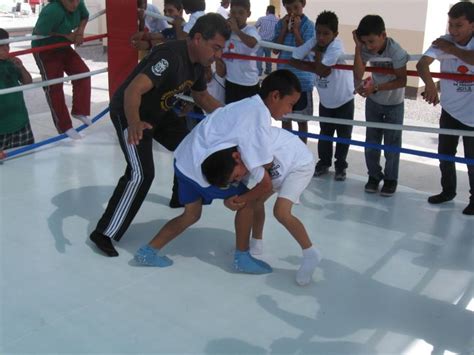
x,y
335,89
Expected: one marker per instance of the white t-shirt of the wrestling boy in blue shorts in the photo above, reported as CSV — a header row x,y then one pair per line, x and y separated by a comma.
x,y
245,124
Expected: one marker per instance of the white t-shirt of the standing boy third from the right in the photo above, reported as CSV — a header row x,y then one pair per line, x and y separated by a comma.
x,y
338,87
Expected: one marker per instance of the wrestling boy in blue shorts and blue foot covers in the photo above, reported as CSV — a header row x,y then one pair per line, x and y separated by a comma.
x,y
246,125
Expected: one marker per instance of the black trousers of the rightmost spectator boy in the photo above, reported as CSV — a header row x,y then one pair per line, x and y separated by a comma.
x,y
448,144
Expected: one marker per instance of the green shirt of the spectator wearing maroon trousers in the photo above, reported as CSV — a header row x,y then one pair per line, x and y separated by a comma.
x,y
55,18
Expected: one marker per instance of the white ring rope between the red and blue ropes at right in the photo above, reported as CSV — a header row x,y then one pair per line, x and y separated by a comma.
x,y
397,127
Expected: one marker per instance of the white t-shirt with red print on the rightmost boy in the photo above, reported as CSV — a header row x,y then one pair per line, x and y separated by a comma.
x,y
457,97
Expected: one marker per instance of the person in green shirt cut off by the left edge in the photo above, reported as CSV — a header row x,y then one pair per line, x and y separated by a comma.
x,y
15,127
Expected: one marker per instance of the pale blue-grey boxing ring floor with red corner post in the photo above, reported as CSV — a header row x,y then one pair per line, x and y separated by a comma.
x,y
397,274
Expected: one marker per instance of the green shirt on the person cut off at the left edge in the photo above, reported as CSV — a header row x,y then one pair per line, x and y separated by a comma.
x,y
13,113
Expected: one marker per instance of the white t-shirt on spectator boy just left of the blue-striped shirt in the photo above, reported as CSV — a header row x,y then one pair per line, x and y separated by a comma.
x,y
242,72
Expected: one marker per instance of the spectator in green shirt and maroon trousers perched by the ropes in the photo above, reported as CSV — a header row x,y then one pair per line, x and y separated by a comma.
x,y
64,21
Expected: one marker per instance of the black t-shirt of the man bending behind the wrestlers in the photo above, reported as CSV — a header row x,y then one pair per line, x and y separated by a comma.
x,y
169,68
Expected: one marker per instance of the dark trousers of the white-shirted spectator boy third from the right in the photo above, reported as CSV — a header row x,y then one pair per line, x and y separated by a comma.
x,y
345,111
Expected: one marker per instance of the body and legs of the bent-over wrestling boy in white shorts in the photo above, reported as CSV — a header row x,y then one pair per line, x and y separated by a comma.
x,y
291,172
